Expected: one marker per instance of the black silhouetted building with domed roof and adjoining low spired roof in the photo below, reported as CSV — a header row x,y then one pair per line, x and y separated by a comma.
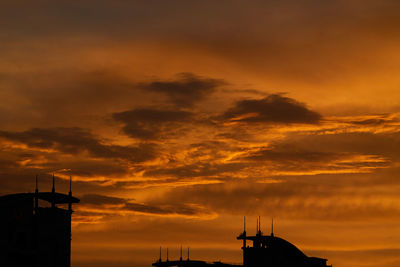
x,y
266,251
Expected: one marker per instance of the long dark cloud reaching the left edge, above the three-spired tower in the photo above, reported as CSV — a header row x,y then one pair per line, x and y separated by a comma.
x,y
76,140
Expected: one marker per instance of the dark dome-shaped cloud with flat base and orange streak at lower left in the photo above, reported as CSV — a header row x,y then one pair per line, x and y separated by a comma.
x,y
272,109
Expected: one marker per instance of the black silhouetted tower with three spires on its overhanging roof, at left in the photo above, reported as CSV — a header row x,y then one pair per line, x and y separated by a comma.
x,y
35,228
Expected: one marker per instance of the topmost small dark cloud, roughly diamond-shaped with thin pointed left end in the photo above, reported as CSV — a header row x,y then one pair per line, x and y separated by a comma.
x,y
186,90
